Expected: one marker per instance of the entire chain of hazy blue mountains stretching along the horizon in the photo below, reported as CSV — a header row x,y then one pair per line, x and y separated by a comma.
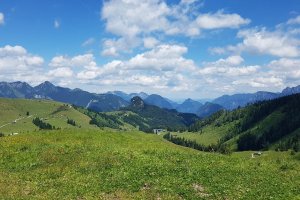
x,y
114,100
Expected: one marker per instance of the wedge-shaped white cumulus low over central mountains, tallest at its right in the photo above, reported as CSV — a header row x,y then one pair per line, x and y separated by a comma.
x,y
161,67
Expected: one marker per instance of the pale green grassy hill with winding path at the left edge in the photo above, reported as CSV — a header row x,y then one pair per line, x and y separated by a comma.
x,y
12,109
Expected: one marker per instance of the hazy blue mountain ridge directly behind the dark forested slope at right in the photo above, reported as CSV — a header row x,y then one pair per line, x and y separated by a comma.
x,y
240,100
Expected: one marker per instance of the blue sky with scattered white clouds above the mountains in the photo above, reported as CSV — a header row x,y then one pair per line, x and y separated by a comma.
x,y
175,48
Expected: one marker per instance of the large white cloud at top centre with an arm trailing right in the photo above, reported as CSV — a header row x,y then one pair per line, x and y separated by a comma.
x,y
127,20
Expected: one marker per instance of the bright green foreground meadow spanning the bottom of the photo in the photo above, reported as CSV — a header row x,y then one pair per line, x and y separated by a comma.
x,y
120,165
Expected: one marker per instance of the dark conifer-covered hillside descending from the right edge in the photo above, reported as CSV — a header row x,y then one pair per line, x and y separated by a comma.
x,y
271,124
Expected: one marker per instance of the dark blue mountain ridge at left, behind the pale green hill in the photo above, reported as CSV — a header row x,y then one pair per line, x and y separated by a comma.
x,y
46,90
